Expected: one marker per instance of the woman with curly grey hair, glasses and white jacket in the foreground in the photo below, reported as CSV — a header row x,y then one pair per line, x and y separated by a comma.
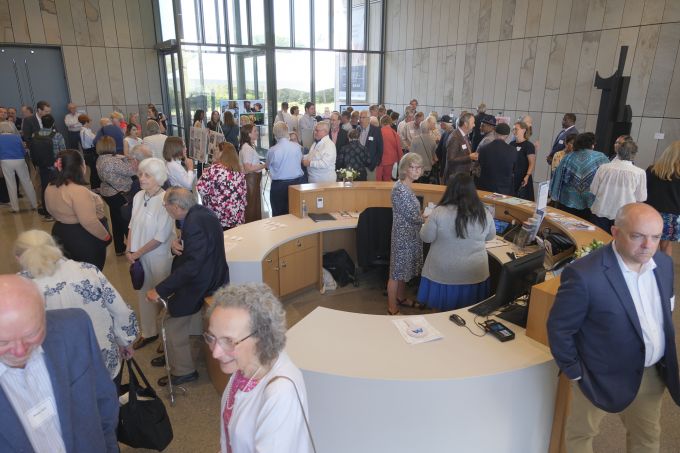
x,y
264,407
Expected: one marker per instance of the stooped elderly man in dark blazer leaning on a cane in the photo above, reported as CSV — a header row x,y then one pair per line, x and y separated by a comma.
x,y
198,270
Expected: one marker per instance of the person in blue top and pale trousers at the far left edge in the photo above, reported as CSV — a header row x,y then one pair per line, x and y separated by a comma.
x,y
12,161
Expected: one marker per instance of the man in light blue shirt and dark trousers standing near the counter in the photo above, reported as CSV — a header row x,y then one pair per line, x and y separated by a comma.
x,y
284,165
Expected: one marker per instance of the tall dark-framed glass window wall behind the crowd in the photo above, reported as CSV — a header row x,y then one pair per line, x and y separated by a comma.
x,y
326,51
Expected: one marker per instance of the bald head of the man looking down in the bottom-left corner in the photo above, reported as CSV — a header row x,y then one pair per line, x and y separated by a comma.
x,y
22,320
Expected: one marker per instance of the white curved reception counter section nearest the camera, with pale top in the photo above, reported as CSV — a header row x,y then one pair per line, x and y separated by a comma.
x,y
370,391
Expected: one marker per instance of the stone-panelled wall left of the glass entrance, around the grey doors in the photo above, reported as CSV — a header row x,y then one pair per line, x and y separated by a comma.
x,y
107,47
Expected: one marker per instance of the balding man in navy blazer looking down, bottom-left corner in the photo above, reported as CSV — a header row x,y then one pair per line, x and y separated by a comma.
x,y
55,393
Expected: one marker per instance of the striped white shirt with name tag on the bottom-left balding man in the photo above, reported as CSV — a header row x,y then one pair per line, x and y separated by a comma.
x,y
30,392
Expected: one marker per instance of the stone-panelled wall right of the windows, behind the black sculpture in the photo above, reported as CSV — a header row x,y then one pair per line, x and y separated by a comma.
x,y
538,57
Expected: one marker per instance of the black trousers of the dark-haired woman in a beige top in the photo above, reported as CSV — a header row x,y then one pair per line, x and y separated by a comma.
x,y
79,245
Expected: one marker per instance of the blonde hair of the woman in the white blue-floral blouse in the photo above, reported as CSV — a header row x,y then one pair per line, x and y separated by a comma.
x,y
37,253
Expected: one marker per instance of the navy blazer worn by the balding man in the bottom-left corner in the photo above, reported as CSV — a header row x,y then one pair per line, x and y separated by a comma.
x,y
86,397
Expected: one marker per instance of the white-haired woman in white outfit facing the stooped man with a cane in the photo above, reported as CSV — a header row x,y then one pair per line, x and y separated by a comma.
x,y
149,238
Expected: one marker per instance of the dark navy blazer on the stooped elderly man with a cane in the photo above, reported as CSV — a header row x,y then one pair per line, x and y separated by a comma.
x,y
201,268
